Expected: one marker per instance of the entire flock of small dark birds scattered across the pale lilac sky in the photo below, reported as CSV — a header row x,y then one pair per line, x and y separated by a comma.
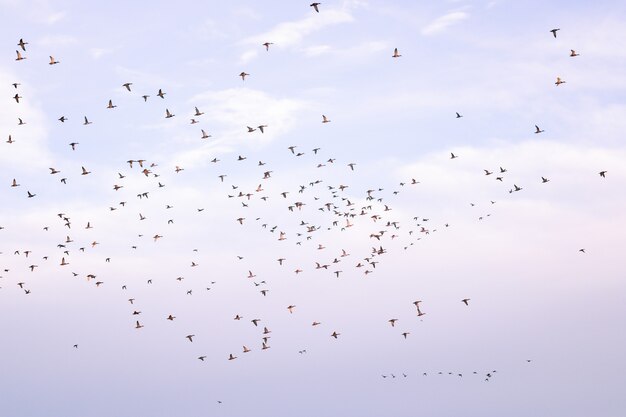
x,y
319,206
